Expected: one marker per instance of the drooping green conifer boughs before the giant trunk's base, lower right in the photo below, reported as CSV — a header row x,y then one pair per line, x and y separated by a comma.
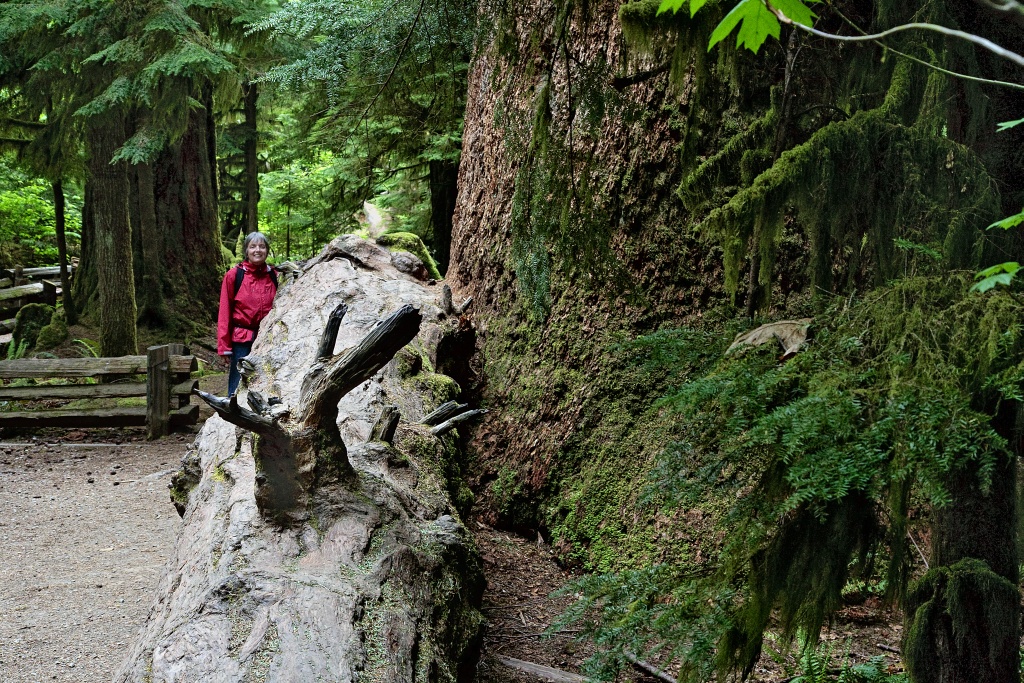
x,y
895,396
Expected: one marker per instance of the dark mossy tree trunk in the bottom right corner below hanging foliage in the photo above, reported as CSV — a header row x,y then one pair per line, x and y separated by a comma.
x,y
963,618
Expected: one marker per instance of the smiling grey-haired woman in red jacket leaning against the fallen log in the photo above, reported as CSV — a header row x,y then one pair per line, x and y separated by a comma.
x,y
246,297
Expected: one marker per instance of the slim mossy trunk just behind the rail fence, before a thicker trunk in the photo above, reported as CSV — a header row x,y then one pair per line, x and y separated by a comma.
x,y
113,238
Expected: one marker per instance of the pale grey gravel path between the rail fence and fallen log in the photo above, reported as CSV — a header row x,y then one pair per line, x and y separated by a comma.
x,y
86,529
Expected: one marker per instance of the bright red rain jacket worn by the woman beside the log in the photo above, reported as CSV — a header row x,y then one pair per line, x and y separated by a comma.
x,y
241,314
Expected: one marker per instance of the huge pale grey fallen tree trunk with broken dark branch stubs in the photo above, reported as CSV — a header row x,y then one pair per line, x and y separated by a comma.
x,y
310,550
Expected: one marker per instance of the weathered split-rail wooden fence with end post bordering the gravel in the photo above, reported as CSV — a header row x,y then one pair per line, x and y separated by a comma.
x,y
167,390
